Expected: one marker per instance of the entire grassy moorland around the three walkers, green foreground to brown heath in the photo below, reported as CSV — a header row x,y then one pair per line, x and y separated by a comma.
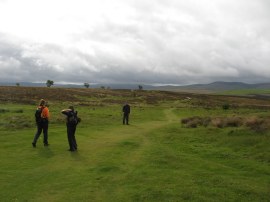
x,y
155,158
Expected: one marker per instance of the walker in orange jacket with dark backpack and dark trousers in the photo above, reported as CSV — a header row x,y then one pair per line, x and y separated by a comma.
x,y
42,121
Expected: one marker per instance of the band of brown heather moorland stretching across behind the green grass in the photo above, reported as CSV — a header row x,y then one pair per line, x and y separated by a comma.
x,y
88,96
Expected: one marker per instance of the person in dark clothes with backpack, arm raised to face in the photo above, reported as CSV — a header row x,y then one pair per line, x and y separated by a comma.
x,y
71,122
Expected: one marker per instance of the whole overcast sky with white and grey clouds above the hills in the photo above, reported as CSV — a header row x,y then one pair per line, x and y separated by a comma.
x,y
135,41
